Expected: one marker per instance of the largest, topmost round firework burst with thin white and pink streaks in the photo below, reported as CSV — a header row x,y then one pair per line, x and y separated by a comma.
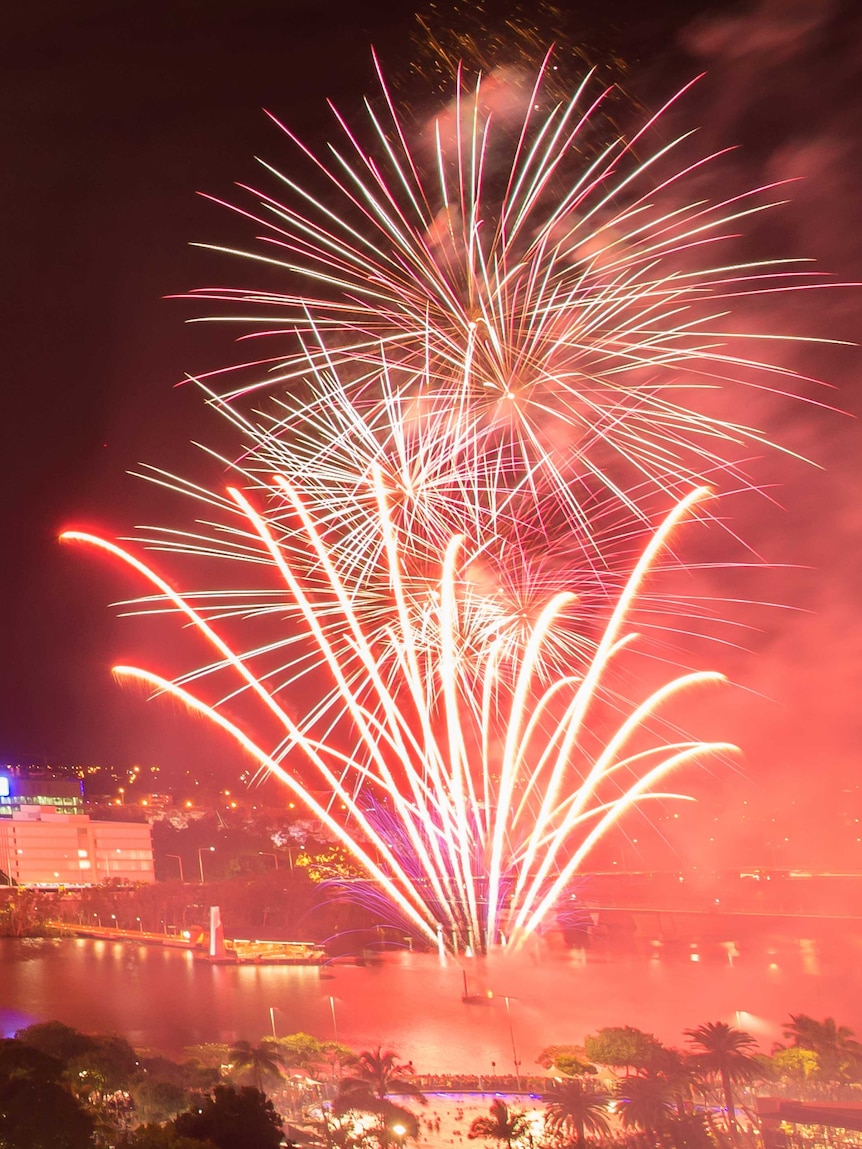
x,y
565,290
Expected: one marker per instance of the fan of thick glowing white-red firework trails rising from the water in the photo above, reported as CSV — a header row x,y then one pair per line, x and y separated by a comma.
x,y
473,837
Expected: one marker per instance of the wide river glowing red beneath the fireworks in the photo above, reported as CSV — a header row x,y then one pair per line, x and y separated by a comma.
x,y
165,1000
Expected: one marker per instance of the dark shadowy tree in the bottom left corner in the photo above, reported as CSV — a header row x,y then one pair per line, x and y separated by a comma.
x,y
42,1115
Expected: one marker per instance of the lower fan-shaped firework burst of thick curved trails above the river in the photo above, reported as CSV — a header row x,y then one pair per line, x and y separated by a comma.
x,y
470,796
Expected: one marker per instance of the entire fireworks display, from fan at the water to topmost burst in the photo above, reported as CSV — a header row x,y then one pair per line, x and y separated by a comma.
x,y
491,392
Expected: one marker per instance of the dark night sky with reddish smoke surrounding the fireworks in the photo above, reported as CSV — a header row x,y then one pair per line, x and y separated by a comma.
x,y
114,114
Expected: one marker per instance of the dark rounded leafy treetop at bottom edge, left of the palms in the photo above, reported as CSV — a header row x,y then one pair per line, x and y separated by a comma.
x,y
234,1120
